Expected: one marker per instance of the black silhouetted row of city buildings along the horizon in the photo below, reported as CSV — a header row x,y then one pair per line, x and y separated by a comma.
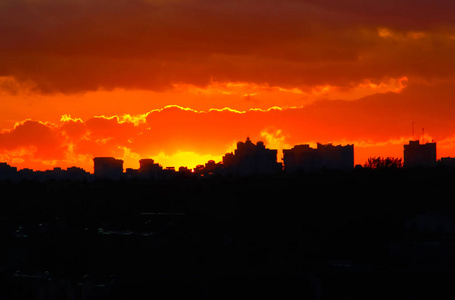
x,y
246,160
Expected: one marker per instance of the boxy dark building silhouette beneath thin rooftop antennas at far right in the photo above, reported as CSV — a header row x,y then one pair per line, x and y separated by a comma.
x,y
419,155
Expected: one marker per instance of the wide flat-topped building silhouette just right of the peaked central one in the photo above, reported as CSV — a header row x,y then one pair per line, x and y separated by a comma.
x,y
324,157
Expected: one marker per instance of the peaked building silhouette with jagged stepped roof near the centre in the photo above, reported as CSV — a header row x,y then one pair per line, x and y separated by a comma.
x,y
251,159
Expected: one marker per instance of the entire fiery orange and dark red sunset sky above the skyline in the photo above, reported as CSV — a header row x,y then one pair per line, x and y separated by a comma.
x,y
182,81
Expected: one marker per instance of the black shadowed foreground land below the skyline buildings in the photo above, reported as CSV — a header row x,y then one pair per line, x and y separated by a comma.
x,y
358,235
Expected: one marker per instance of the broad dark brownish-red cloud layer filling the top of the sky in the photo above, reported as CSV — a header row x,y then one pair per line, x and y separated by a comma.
x,y
72,46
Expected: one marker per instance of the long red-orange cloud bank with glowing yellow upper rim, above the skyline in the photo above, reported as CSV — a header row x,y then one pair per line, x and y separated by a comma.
x,y
381,120
